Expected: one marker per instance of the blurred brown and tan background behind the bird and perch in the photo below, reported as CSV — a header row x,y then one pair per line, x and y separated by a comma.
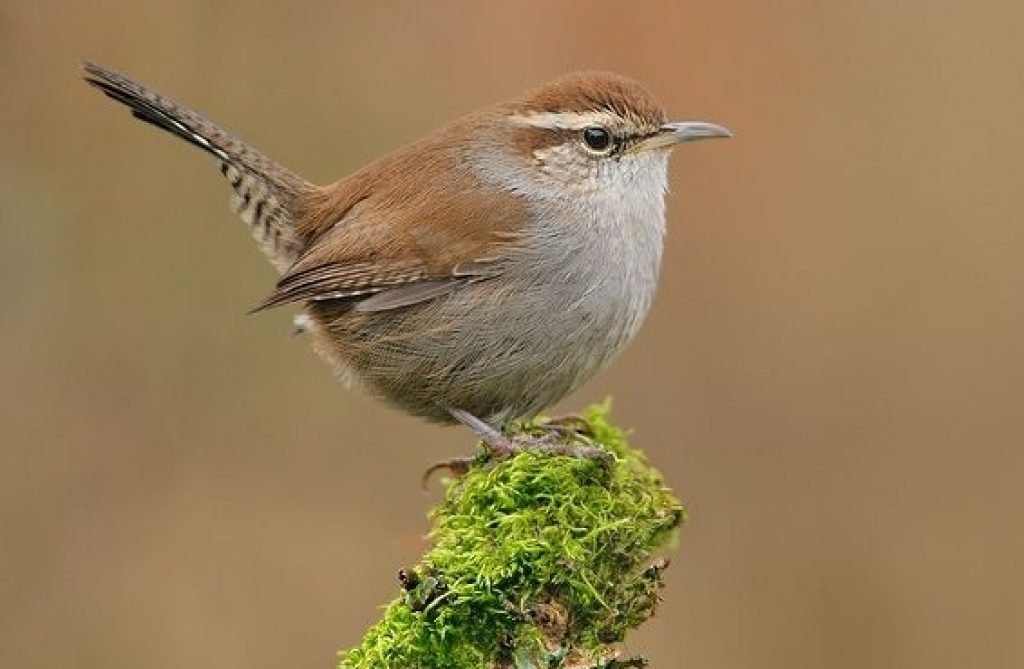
x,y
831,379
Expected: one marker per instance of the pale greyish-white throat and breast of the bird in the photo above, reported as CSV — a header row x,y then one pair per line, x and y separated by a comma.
x,y
594,264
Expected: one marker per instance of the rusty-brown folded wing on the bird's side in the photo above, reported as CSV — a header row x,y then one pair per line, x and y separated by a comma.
x,y
408,229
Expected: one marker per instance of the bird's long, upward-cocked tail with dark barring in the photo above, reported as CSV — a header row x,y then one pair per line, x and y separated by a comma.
x,y
268,196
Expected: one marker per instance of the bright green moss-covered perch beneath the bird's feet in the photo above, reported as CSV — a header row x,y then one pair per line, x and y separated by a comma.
x,y
538,562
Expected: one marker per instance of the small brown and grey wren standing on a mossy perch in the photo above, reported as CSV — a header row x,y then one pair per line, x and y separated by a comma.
x,y
481,274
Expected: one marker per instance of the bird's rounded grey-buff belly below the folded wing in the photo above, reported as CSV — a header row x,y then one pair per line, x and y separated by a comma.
x,y
498,350
